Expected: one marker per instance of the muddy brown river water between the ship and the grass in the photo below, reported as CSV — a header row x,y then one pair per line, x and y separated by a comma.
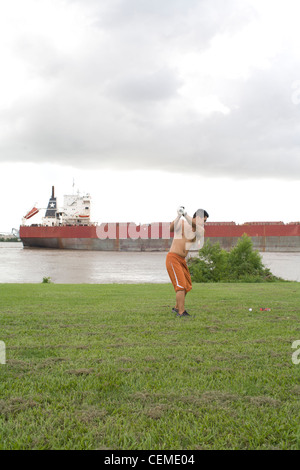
x,y
31,265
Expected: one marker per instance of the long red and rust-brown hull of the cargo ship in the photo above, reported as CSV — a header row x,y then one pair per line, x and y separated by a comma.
x,y
265,238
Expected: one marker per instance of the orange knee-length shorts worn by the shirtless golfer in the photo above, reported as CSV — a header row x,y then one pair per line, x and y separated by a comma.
x,y
178,272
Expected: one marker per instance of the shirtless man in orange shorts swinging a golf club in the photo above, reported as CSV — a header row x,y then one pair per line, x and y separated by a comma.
x,y
187,231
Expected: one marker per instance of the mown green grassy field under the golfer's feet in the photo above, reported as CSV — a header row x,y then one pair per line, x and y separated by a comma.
x,y
111,367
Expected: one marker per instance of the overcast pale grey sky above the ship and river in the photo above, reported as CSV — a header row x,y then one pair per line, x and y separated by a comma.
x,y
149,104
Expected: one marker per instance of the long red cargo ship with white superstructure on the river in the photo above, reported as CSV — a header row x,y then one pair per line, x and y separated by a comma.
x,y
71,228
